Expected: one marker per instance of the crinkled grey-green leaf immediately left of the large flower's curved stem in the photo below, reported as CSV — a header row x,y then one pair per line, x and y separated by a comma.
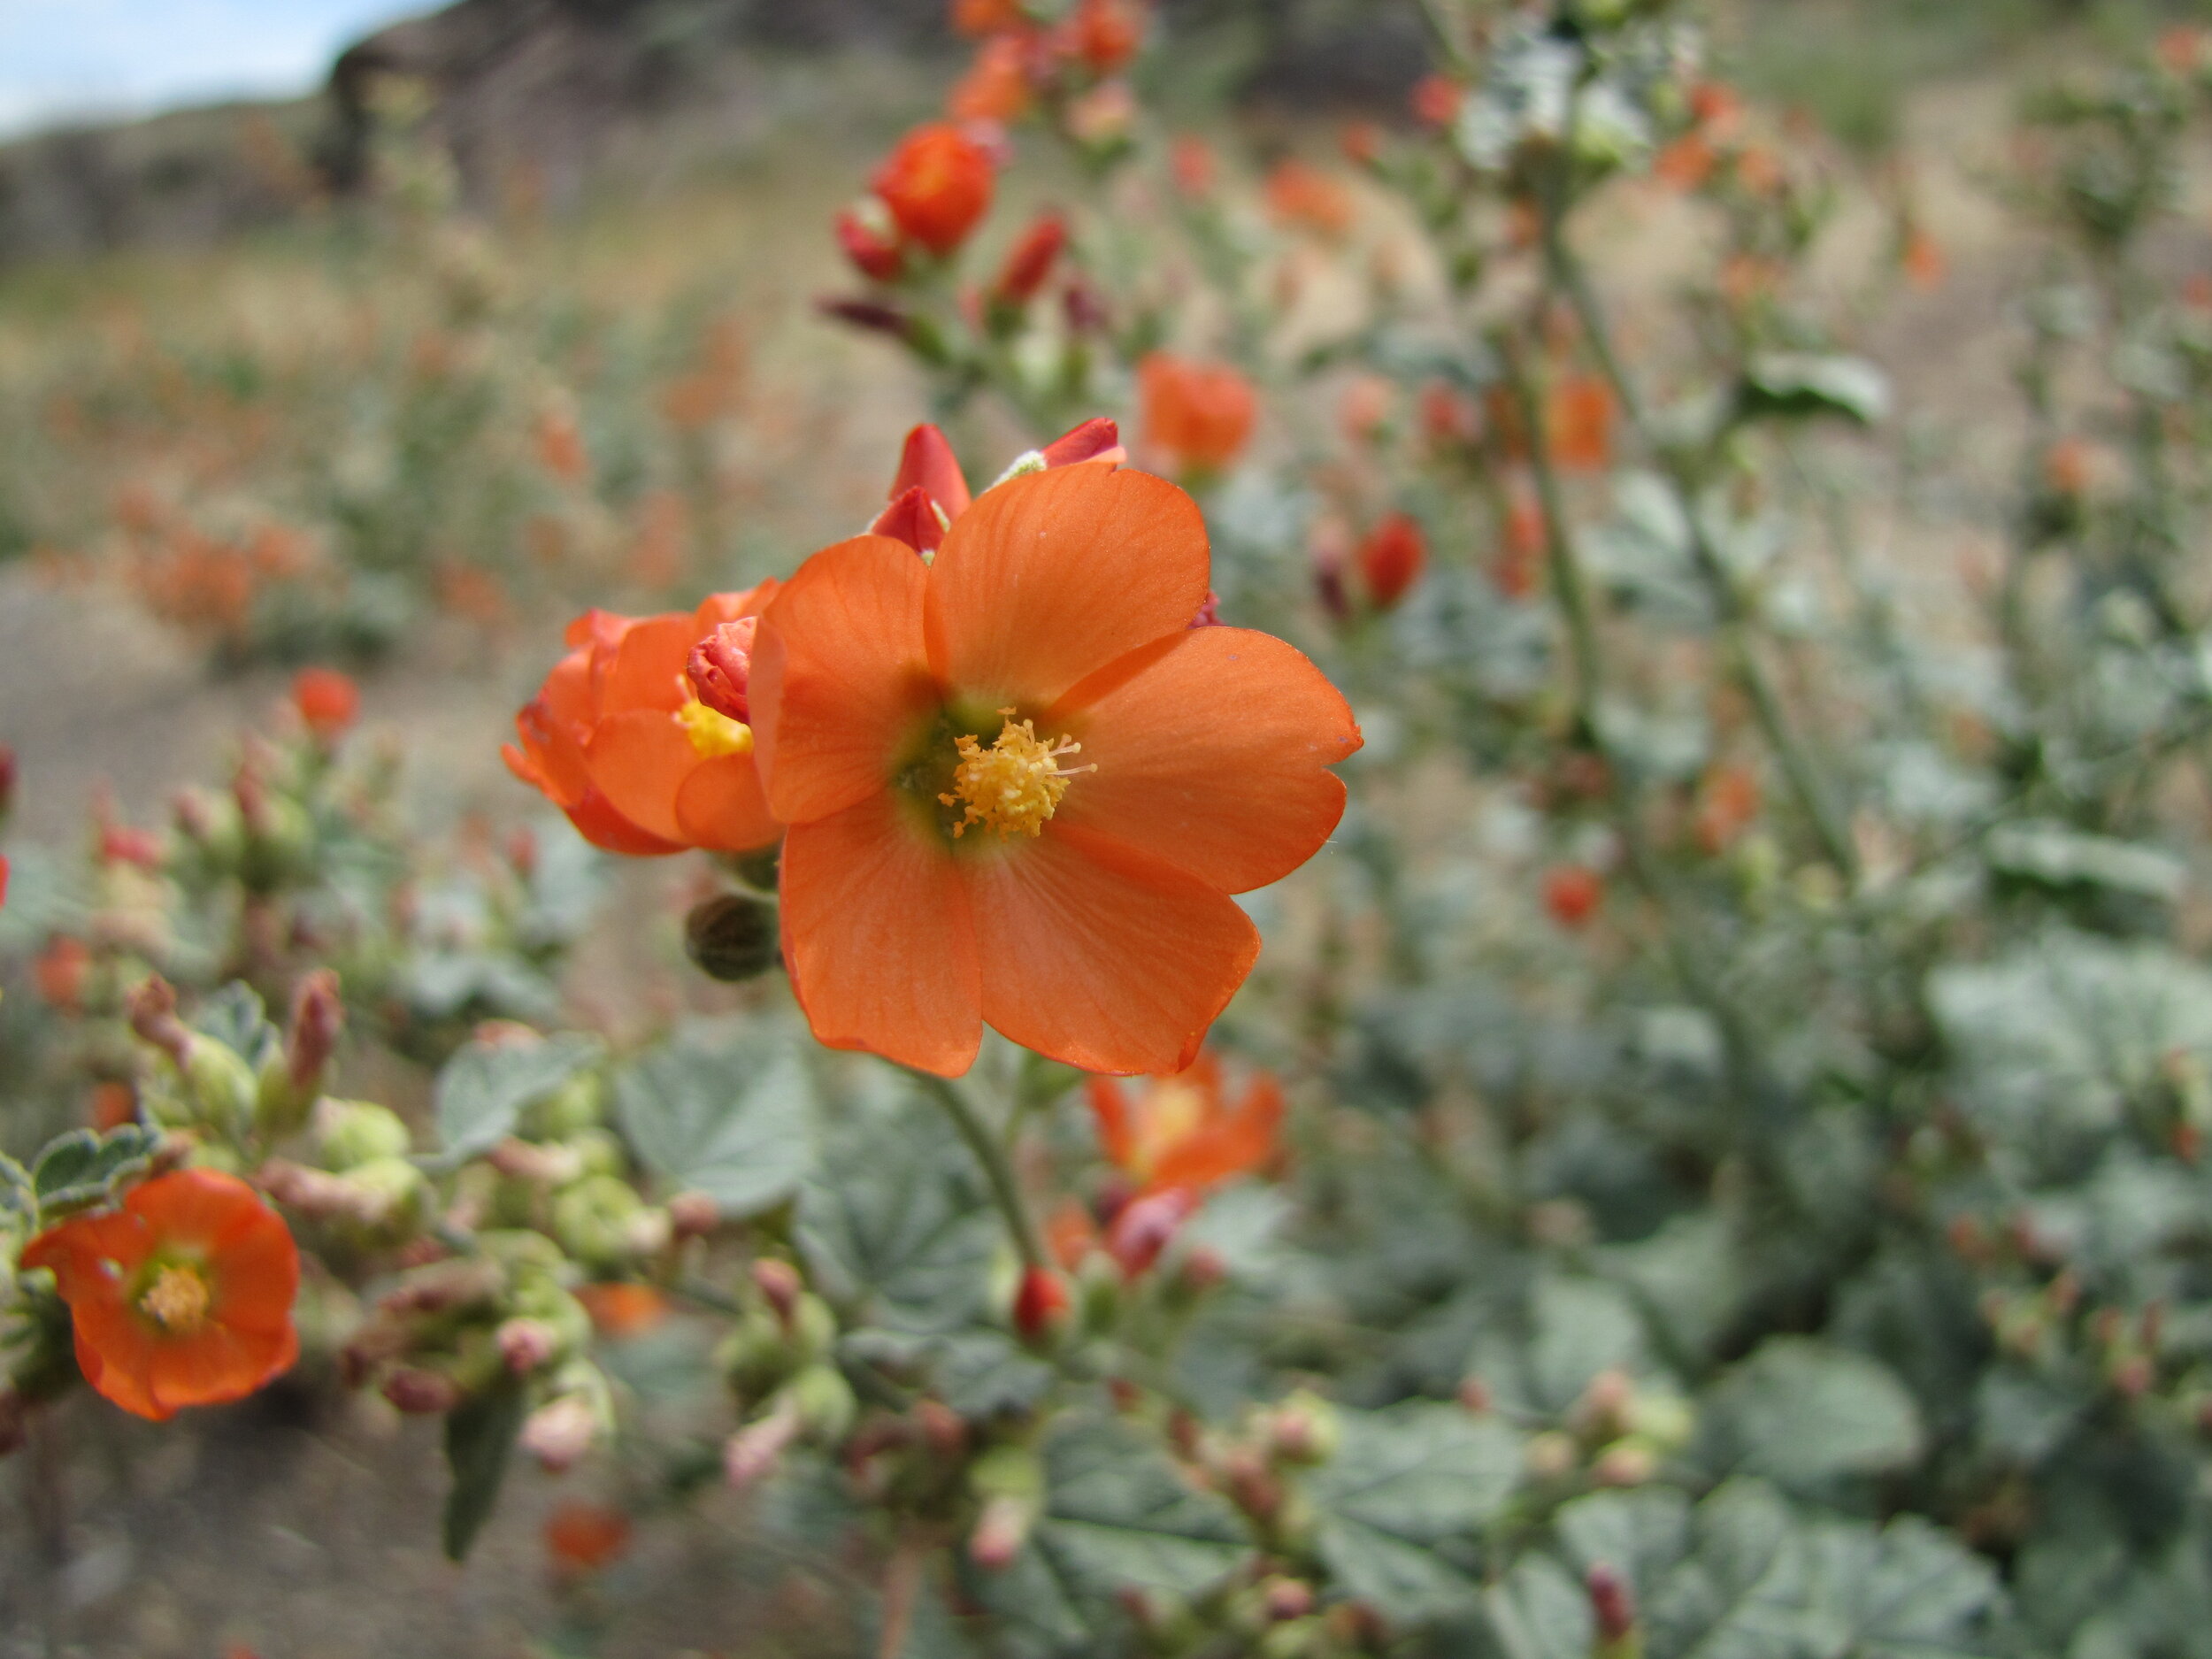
x,y
897,1224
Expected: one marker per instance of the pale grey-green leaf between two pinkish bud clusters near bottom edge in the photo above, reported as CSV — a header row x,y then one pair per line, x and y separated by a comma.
x,y
1401,1485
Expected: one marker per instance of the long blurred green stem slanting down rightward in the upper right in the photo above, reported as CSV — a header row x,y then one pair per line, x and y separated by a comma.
x,y
1740,649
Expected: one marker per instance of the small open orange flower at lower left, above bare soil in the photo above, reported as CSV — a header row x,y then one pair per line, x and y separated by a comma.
x,y
180,1297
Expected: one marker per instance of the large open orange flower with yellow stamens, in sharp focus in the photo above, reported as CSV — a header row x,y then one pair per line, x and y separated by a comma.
x,y
1021,786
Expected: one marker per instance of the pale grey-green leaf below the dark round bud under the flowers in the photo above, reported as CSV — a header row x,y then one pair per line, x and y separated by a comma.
x,y
729,1118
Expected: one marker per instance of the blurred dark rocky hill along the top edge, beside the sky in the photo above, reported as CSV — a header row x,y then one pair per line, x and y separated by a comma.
x,y
541,90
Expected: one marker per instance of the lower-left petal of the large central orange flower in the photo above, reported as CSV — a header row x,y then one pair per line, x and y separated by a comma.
x,y
879,939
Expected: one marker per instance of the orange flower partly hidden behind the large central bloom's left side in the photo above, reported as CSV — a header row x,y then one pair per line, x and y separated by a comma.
x,y
632,749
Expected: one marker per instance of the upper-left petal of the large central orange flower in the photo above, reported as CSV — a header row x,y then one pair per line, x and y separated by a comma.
x,y
839,678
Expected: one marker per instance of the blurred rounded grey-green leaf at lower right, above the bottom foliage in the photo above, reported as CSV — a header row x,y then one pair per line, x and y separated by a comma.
x,y
1806,1412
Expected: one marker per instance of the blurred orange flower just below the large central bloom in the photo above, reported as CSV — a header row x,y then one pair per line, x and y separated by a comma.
x,y
1185,1131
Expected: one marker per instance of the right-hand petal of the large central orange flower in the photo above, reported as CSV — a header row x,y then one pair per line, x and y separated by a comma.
x,y
1211,755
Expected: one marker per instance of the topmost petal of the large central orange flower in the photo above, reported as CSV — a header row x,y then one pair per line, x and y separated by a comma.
x,y
1054,576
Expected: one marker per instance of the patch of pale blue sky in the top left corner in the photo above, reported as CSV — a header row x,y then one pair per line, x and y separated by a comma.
x,y
63,59
